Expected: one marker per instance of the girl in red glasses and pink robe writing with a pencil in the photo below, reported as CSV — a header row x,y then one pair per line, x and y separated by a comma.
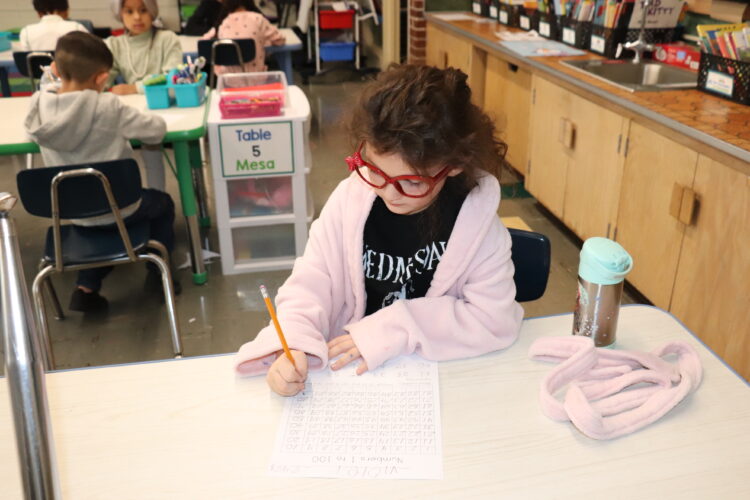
x,y
408,254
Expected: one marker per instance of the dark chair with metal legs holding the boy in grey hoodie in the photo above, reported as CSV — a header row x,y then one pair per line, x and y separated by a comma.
x,y
80,192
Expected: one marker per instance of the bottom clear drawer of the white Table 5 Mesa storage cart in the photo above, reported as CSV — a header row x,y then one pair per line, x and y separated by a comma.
x,y
263,242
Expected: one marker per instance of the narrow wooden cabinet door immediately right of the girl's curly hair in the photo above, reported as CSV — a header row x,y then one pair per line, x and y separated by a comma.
x,y
507,99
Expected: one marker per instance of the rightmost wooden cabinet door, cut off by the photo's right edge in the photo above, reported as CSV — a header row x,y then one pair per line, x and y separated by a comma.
x,y
712,289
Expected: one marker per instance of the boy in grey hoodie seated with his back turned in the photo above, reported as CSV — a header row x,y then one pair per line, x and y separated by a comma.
x,y
80,124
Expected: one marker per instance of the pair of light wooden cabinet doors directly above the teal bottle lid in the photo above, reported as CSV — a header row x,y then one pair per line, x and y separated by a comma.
x,y
575,158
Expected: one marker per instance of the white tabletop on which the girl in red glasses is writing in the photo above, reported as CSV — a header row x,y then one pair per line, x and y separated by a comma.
x,y
189,428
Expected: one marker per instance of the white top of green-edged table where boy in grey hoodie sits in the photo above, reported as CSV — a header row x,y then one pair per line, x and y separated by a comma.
x,y
14,112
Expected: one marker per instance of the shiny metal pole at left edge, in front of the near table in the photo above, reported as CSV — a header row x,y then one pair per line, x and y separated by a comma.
x,y
24,368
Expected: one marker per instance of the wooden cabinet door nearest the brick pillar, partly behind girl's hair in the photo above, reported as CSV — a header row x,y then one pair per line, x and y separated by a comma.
x,y
449,51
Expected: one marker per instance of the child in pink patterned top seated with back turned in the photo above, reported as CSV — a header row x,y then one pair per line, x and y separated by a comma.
x,y
241,19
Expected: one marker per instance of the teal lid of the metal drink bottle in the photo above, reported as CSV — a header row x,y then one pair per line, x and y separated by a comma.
x,y
604,261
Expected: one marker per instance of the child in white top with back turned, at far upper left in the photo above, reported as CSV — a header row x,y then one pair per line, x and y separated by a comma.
x,y
53,24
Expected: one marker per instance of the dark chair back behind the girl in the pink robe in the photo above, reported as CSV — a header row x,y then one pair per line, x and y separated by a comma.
x,y
531,257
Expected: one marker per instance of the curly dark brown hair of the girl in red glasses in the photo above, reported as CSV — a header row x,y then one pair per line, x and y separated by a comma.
x,y
425,115
